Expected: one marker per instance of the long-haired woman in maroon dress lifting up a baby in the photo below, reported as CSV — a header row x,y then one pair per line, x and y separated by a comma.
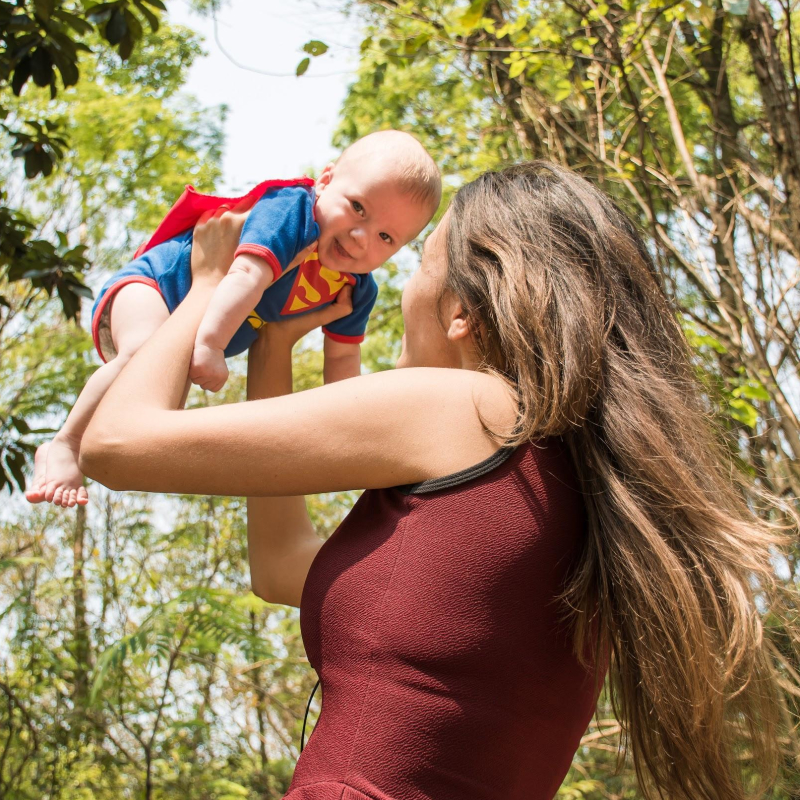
x,y
560,506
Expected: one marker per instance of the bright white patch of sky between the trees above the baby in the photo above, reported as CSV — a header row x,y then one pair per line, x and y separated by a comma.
x,y
277,127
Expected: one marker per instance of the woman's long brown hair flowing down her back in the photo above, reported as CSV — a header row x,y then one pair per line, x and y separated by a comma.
x,y
566,304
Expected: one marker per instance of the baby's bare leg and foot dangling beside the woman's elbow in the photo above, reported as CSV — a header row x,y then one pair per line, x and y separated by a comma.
x,y
137,312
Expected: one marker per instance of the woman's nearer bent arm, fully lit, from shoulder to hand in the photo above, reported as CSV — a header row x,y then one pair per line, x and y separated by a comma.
x,y
378,430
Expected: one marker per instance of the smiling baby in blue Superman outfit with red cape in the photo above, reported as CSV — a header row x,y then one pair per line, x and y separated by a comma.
x,y
377,197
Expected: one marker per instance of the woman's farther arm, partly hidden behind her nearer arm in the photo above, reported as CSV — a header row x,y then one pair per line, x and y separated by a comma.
x,y
281,540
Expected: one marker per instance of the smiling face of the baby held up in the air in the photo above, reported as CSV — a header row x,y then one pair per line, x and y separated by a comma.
x,y
364,219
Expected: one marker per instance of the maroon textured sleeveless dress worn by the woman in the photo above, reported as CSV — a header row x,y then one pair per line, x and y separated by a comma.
x,y
430,616
